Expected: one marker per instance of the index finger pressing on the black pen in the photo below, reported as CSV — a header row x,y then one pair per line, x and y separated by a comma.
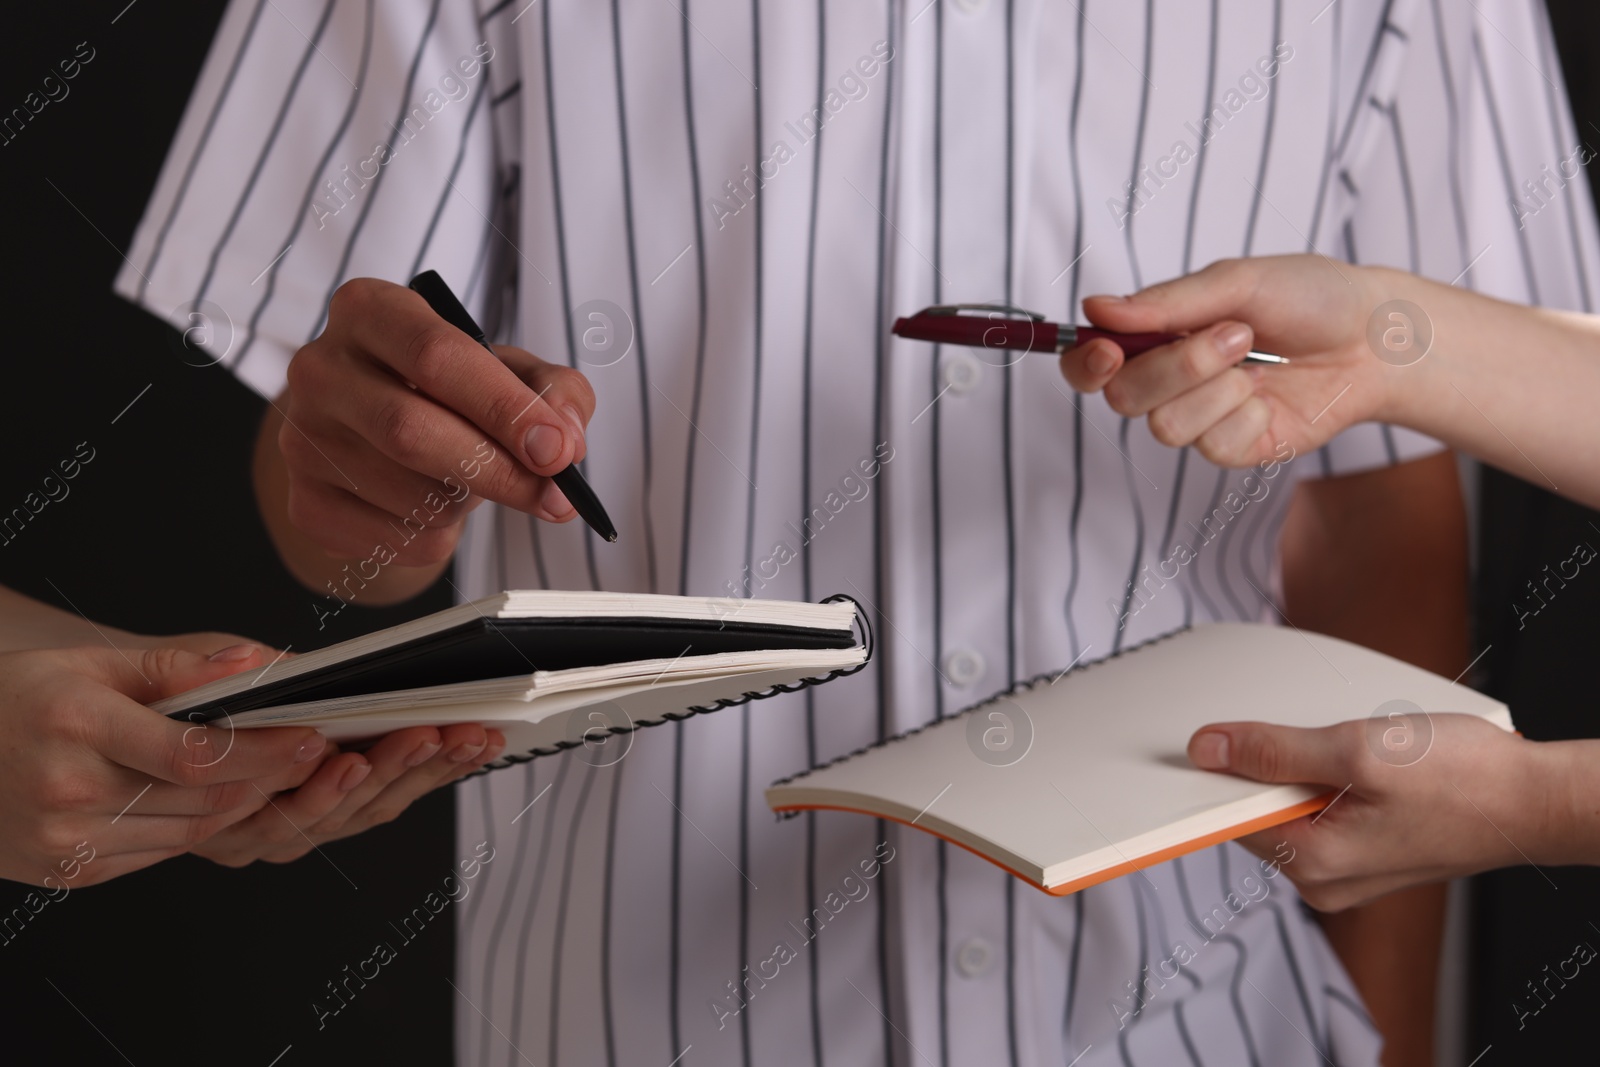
x,y
402,332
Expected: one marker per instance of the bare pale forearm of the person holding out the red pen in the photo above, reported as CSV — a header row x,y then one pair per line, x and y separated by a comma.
x,y
1510,385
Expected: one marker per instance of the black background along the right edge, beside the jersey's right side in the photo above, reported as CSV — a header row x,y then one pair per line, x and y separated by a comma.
x,y
1545,669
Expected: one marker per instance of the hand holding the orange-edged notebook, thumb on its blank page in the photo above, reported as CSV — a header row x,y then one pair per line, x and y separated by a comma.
x,y
1474,799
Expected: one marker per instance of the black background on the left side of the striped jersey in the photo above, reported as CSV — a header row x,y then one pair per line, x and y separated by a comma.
x,y
185,962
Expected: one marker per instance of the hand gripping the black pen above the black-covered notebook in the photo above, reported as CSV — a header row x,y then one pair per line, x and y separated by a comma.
x,y
396,425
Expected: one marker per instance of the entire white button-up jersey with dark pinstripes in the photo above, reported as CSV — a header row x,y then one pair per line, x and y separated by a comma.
x,y
758,188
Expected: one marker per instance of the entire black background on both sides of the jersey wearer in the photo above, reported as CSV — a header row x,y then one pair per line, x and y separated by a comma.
x,y
194,964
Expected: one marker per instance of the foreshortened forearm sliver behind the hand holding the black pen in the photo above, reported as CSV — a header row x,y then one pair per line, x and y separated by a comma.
x,y
305,559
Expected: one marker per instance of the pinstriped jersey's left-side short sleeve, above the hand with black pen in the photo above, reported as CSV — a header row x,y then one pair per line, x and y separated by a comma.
x,y
321,143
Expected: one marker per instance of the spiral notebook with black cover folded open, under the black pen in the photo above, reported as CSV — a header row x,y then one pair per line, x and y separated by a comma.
x,y
550,669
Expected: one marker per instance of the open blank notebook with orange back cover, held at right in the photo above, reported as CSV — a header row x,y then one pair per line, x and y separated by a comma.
x,y
1076,780
